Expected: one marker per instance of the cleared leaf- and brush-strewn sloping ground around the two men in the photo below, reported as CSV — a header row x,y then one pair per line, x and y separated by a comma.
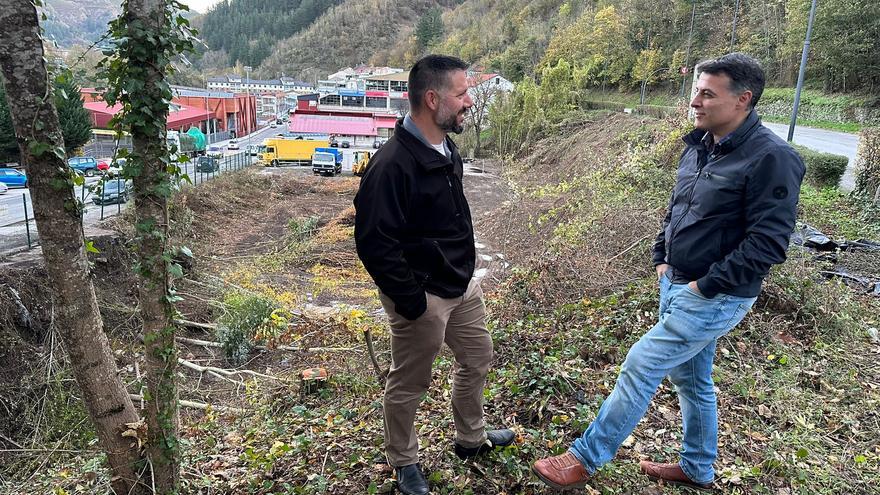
x,y
565,249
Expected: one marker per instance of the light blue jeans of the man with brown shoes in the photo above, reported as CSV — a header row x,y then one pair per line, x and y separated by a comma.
x,y
682,346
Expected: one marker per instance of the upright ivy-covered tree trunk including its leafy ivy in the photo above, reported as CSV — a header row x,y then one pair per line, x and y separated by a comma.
x,y
149,35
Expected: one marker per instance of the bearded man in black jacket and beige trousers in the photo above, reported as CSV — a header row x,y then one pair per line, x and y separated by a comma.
x,y
415,236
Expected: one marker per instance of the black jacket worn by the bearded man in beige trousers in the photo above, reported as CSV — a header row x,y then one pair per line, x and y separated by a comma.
x,y
413,226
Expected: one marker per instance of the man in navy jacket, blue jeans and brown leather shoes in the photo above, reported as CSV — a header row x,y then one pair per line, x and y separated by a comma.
x,y
729,220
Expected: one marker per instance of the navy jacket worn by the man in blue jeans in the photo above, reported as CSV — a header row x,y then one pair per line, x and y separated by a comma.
x,y
732,210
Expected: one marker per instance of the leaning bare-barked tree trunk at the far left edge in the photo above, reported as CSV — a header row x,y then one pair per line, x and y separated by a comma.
x,y
58,222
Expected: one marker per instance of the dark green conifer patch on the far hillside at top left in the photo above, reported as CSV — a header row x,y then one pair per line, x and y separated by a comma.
x,y
246,31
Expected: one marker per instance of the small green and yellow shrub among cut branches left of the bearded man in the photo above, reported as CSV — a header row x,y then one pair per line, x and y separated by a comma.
x,y
248,320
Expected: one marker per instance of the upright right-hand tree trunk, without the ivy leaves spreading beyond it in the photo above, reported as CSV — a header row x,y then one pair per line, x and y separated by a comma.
x,y
146,20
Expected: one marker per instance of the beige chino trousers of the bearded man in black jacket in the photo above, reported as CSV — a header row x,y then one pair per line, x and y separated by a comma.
x,y
461,323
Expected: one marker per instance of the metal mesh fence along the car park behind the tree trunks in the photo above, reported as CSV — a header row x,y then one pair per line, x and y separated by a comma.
x,y
18,229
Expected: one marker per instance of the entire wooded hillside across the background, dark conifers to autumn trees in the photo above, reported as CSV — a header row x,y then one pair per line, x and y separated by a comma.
x,y
608,44
